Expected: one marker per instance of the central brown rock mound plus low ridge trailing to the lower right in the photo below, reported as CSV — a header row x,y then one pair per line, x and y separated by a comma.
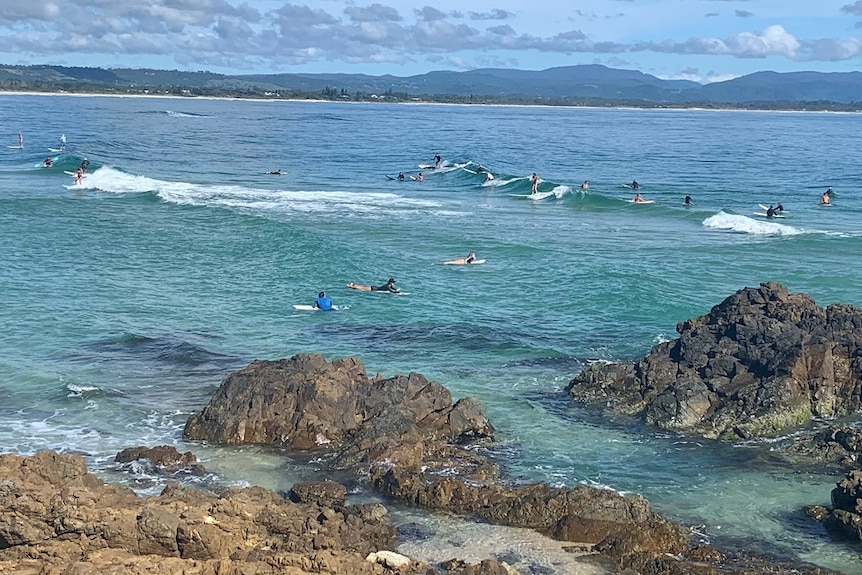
x,y
406,438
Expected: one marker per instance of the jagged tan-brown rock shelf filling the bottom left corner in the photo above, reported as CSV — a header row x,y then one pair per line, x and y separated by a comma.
x,y
55,517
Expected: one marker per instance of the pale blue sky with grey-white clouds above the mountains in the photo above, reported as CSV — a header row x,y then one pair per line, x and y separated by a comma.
x,y
702,40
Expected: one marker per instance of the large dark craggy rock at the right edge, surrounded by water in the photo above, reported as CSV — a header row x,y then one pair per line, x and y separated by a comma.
x,y
761,361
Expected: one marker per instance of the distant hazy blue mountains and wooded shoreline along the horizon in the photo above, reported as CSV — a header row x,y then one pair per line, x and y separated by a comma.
x,y
562,85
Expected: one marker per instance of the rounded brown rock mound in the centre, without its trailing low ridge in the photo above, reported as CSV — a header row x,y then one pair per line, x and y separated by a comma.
x,y
307,403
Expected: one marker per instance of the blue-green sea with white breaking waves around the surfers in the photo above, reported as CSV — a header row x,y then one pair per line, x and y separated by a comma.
x,y
124,301
